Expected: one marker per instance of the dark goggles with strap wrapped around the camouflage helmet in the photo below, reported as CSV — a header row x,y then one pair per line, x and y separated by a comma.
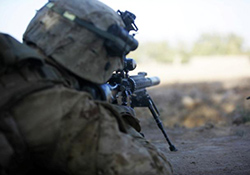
x,y
118,41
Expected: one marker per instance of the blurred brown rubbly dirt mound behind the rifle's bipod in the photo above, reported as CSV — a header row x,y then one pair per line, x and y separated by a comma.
x,y
195,104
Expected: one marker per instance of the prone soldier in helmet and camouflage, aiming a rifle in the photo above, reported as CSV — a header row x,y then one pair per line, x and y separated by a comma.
x,y
51,119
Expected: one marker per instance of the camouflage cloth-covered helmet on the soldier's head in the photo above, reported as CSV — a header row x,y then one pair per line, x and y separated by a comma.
x,y
84,36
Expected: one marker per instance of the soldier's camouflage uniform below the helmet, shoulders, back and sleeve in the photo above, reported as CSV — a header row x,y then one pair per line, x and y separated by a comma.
x,y
47,124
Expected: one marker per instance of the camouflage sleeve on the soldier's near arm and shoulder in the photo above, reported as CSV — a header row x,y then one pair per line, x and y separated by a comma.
x,y
67,130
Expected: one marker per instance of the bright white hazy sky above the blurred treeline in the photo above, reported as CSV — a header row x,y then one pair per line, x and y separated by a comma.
x,y
170,20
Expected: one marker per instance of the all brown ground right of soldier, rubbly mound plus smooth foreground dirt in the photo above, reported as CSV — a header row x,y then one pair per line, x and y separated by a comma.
x,y
209,123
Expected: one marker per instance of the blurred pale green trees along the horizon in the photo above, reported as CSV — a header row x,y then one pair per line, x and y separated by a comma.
x,y
207,44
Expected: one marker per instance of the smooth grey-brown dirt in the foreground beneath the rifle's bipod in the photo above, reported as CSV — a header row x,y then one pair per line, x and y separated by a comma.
x,y
206,150
